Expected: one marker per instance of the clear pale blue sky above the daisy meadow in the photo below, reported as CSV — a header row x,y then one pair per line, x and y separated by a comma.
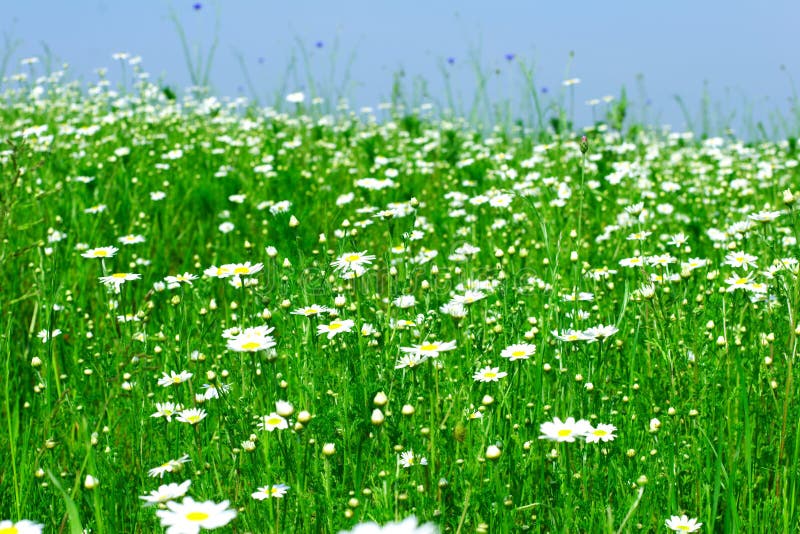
x,y
742,53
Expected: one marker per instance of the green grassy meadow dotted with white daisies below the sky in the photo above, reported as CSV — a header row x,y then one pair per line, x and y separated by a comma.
x,y
220,315
